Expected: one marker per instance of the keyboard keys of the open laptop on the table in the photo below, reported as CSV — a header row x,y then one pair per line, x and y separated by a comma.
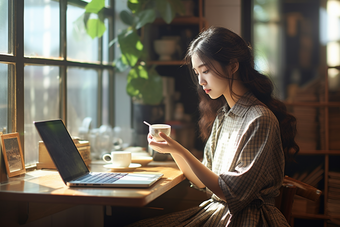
x,y
101,177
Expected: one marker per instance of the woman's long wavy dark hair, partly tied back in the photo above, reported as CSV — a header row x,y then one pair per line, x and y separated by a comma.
x,y
223,46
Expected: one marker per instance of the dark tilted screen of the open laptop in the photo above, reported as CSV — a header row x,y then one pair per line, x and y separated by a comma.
x,y
62,149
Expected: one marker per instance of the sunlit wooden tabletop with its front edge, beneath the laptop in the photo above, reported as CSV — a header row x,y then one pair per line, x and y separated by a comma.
x,y
47,186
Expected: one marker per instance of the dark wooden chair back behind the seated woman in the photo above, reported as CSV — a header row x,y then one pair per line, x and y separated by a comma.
x,y
289,189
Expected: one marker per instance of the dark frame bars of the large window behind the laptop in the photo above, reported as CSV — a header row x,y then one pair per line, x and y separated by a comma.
x,y
17,60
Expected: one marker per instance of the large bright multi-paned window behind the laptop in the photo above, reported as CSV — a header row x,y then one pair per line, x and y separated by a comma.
x,y
56,71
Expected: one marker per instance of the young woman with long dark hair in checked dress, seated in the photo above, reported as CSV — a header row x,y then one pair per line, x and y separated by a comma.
x,y
248,136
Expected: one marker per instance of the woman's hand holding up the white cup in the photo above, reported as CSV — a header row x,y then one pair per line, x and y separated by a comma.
x,y
167,146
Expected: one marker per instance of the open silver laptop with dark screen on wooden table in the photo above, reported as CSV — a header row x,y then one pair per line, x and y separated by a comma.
x,y
72,168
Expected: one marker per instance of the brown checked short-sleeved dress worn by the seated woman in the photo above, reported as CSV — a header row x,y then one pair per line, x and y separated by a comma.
x,y
245,150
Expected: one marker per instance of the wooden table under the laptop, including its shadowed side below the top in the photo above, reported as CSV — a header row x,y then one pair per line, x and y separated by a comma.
x,y
40,193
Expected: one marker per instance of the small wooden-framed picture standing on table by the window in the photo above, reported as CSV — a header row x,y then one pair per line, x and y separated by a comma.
x,y
12,153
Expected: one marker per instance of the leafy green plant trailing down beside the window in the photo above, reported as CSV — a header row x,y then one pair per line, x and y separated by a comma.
x,y
144,84
